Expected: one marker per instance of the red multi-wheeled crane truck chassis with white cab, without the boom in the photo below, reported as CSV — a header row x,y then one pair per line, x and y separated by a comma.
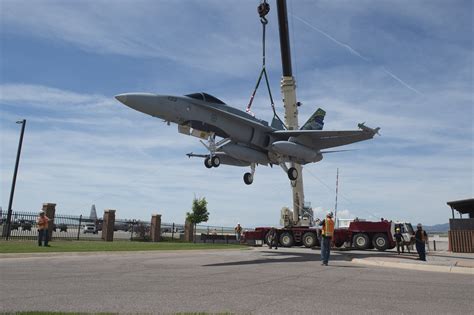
x,y
359,235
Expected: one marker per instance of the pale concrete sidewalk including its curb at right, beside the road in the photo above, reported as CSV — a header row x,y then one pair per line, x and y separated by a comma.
x,y
439,261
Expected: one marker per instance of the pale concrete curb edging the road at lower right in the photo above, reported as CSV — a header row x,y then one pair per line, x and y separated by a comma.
x,y
420,267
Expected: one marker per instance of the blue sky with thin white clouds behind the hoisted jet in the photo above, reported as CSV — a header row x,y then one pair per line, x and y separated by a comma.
x,y
404,66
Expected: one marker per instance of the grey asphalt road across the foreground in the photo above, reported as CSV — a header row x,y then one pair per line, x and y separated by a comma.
x,y
256,281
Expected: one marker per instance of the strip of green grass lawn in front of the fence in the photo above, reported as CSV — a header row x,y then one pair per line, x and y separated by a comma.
x,y
101,246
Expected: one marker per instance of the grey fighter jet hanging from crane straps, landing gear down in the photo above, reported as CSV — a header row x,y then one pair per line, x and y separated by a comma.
x,y
235,137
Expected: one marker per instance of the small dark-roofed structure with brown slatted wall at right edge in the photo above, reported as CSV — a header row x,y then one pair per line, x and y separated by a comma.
x,y
461,230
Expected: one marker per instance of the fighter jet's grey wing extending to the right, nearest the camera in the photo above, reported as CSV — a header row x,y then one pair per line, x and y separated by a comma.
x,y
319,139
